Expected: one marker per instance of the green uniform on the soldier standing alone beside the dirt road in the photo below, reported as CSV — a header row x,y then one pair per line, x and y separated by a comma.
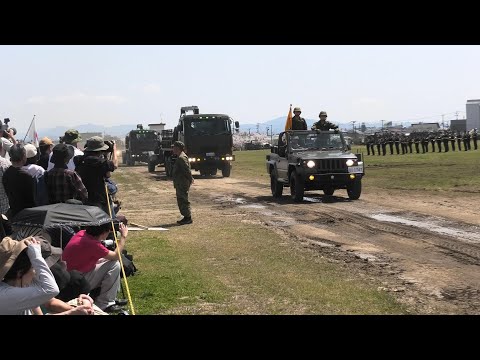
x,y
182,179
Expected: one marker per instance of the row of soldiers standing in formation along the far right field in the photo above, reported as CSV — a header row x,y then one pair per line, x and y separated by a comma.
x,y
405,142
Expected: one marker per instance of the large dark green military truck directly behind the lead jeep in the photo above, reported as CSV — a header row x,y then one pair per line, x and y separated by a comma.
x,y
208,140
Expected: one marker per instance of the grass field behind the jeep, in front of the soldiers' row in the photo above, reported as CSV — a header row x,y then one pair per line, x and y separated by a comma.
x,y
452,171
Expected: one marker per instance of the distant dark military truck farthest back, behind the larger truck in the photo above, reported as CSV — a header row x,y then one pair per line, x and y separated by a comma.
x,y
140,144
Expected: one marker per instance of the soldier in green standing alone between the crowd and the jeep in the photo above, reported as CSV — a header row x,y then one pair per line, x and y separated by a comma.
x,y
182,179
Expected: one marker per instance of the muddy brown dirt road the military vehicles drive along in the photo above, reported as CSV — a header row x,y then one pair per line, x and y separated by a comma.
x,y
423,247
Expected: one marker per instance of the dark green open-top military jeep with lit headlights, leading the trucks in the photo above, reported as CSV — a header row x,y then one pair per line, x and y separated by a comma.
x,y
314,160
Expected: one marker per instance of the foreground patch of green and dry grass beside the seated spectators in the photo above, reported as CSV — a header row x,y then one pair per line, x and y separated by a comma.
x,y
242,269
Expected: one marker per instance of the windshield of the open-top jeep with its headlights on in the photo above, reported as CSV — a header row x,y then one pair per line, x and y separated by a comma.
x,y
316,141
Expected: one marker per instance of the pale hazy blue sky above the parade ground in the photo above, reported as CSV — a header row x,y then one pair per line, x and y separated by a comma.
x,y
73,85
